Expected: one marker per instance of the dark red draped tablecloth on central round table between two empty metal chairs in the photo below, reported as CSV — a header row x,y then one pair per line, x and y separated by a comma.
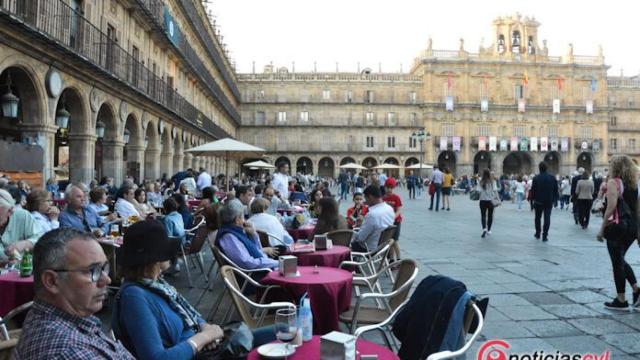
x,y
329,292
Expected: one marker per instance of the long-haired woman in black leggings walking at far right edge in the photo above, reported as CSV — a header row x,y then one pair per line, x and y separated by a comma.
x,y
622,186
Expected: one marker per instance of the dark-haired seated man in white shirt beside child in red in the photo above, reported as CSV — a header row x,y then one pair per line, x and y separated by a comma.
x,y
379,217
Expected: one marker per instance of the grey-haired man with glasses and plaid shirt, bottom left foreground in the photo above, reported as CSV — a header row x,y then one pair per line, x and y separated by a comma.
x,y
70,273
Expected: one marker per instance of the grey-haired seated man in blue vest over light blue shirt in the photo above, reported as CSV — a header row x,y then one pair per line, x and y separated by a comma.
x,y
238,240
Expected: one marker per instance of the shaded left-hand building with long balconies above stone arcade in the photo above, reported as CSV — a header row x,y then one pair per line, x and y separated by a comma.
x,y
114,87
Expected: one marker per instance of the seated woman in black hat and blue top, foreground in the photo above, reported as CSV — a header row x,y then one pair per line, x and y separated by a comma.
x,y
150,317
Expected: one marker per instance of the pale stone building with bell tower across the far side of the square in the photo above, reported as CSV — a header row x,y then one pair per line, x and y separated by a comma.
x,y
505,107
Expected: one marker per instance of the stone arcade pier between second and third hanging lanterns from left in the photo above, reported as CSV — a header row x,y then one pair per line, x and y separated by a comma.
x,y
81,157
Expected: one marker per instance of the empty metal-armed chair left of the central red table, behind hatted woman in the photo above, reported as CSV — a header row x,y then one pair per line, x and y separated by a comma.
x,y
242,303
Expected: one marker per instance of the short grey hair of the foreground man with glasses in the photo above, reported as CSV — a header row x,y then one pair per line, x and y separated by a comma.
x,y
50,251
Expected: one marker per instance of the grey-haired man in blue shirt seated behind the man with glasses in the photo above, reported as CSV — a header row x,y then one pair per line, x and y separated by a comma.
x,y
78,216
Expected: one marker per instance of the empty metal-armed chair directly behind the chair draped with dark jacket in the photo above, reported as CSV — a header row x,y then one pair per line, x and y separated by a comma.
x,y
407,272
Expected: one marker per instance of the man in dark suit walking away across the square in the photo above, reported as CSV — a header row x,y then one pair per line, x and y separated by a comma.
x,y
544,193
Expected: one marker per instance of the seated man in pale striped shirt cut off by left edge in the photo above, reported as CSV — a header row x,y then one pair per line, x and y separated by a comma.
x,y
18,229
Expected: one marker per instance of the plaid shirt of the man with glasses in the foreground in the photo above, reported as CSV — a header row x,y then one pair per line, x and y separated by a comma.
x,y
50,333
